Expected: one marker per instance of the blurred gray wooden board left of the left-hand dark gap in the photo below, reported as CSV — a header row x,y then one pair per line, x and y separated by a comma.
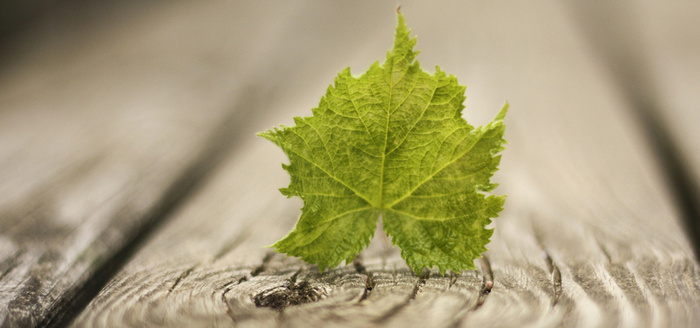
x,y
102,126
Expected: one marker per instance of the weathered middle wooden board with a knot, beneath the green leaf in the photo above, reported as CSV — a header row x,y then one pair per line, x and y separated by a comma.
x,y
589,236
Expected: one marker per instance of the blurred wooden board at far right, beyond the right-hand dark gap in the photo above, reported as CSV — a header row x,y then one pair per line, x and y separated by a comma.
x,y
673,31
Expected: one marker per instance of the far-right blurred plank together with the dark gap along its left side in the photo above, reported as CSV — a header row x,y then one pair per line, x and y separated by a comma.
x,y
652,53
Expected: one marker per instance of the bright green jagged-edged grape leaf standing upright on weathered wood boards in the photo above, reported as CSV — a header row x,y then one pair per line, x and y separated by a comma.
x,y
392,142
